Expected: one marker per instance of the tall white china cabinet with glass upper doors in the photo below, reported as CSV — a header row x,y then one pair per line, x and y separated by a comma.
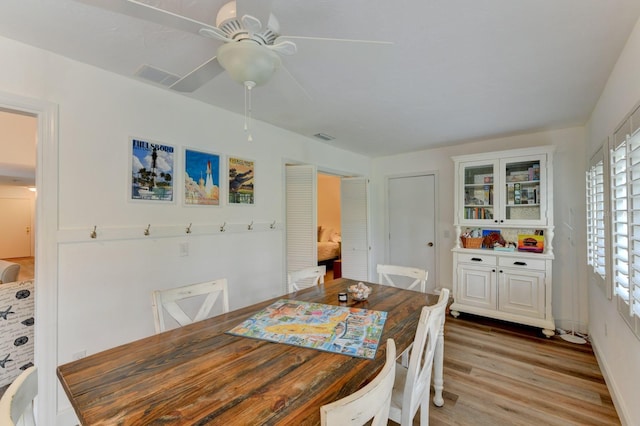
x,y
508,193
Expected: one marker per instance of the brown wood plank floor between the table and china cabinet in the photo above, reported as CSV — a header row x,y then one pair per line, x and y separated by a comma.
x,y
498,373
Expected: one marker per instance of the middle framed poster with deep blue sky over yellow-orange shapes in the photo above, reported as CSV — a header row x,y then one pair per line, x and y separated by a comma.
x,y
201,178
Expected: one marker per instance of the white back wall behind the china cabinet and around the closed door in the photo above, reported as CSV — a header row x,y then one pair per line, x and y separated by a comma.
x,y
568,194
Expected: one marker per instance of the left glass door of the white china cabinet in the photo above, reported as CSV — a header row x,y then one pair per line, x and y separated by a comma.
x,y
479,192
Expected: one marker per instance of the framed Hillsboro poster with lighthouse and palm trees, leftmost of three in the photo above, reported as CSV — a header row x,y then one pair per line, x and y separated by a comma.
x,y
152,171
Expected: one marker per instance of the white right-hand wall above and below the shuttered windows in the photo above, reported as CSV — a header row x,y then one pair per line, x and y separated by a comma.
x,y
617,348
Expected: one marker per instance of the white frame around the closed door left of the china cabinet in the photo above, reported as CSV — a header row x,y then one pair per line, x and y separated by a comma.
x,y
436,219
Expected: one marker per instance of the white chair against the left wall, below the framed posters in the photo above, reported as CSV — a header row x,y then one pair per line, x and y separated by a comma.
x,y
176,301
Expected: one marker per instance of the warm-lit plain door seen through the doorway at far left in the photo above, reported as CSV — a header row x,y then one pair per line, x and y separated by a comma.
x,y
15,227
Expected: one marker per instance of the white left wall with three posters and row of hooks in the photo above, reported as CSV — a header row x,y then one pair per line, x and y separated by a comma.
x,y
104,284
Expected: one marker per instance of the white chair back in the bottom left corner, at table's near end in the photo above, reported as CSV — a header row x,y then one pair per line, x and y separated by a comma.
x,y
16,405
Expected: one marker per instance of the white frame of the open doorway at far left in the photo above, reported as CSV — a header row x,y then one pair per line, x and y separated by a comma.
x,y
46,248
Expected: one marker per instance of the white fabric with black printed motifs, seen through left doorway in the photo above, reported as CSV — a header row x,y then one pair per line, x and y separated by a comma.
x,y
16,329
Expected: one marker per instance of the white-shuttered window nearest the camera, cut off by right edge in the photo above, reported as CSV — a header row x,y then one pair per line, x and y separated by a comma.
x,y
625,220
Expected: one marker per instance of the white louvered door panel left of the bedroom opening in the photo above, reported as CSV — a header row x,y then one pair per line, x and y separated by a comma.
x,y
302,231
